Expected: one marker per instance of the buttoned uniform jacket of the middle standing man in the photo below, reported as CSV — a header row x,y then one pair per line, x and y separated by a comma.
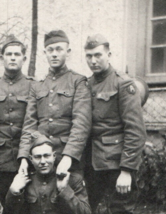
x,y
60,108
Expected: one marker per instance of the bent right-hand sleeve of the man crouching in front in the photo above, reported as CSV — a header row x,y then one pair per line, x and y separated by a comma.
x,y
74,199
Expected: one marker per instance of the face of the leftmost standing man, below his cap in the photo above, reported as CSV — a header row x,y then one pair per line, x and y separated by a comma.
x,y
13,58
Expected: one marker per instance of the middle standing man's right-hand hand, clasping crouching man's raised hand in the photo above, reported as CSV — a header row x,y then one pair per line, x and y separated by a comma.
x,y
64,166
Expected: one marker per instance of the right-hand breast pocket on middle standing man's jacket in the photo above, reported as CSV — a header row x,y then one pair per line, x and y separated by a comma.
x,y
65,100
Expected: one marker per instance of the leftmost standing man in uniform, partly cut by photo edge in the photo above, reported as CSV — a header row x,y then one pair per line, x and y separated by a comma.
x,y
14,91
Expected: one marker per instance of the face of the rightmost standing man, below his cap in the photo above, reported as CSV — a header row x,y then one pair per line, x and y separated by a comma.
x,y
97,58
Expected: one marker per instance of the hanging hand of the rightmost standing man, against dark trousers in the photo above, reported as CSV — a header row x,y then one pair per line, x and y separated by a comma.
x,y
123,183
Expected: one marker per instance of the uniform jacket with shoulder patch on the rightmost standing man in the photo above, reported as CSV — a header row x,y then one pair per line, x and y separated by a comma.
x,y
118,131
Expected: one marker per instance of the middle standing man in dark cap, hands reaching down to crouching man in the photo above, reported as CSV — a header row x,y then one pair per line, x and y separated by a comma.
x,y
59,107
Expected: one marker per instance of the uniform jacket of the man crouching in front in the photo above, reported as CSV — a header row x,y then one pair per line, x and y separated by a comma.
x,y
41,197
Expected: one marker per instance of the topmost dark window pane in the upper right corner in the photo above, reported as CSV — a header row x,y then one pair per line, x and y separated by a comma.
x,y
159,7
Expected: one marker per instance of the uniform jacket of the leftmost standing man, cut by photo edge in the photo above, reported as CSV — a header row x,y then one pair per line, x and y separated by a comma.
x,y
13,101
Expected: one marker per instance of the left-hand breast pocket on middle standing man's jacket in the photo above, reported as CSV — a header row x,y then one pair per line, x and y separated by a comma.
x,y
42,103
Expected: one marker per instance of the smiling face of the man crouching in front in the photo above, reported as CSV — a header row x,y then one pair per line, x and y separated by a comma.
x,y
43,159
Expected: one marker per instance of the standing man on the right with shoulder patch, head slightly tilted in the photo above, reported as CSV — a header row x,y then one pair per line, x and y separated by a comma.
x,y
118,133
